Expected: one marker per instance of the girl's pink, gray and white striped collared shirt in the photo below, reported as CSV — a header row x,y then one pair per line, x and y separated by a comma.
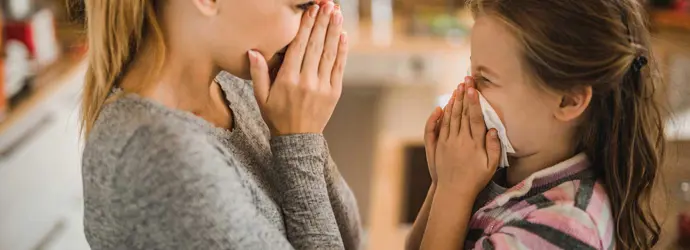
x,y
560,207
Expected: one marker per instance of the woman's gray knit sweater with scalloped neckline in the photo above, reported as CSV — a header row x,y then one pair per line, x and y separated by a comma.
x,y
158,178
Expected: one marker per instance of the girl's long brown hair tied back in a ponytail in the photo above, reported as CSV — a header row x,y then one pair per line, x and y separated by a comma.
x,y
570,44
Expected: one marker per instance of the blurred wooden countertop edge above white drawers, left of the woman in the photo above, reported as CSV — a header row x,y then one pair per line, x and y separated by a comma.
x,y
31,112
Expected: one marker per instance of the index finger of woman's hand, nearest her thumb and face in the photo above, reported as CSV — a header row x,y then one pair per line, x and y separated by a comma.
x,y
297,48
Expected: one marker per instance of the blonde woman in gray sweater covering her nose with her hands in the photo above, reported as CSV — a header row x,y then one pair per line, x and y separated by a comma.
x,y
177,155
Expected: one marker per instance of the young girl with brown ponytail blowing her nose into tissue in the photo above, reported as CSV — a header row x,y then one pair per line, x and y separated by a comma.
x,y
569,81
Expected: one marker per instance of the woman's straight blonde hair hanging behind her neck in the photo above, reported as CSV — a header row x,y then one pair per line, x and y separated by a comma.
x,y
116,30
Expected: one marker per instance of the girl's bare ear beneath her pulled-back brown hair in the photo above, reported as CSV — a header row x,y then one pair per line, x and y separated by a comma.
x,y
573,104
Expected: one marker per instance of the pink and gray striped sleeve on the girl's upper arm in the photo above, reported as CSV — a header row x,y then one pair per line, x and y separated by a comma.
x,y
555,227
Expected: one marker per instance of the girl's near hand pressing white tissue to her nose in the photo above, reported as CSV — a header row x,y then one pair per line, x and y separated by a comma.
x,y
466,155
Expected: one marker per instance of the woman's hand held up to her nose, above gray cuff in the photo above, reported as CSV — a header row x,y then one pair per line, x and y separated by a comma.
x,y
309,83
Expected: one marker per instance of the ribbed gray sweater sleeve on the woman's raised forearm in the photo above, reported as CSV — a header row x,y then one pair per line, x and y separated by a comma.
x,y
300,162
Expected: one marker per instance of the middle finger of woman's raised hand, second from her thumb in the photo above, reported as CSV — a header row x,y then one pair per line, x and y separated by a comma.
x,y
315,46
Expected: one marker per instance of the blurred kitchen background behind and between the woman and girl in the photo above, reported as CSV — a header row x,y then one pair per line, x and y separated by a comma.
x,y
404,54
